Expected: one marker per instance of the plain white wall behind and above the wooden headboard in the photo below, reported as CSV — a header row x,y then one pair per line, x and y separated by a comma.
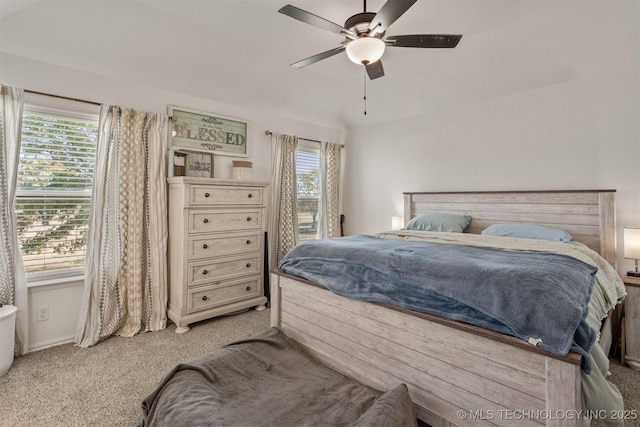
x,y
582,132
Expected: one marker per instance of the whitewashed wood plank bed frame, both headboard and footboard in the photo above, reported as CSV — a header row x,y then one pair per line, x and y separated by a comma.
x,y
457,374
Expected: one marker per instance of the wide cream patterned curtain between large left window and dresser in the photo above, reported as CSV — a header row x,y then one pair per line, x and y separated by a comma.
x,y
125,273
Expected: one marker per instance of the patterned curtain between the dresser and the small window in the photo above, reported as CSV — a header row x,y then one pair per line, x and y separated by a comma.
x,y
283,222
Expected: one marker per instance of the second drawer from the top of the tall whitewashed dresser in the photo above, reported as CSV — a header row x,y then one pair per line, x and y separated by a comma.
x,y
202,221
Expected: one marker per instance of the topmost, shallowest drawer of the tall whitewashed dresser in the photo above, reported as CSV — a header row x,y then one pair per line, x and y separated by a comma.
x,y
204,195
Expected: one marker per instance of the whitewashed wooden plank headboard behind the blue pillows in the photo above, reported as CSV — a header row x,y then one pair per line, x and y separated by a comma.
x,y
588,215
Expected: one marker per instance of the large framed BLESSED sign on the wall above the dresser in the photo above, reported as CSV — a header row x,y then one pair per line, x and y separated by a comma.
x,y
206,132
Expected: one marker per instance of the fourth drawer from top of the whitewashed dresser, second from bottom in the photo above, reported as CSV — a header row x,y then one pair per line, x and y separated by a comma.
x,y
223,268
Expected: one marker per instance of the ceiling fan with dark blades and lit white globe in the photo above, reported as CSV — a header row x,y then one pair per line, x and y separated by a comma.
x,y
364,34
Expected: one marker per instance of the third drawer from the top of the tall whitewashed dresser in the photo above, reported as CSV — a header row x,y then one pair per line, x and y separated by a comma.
x,y
208,245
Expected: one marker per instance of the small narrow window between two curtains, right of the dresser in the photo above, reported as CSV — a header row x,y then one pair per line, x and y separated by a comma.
x,y
308,184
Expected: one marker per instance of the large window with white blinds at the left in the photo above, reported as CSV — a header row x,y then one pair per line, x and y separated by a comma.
x,y
55,174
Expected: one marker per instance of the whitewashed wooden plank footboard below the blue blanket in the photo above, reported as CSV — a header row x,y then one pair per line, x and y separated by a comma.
x,y
456,374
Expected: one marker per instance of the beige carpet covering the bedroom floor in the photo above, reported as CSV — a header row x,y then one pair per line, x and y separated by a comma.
x,y
104,385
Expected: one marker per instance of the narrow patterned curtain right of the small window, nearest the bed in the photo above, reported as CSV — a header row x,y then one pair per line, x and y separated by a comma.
x,y
330,194
